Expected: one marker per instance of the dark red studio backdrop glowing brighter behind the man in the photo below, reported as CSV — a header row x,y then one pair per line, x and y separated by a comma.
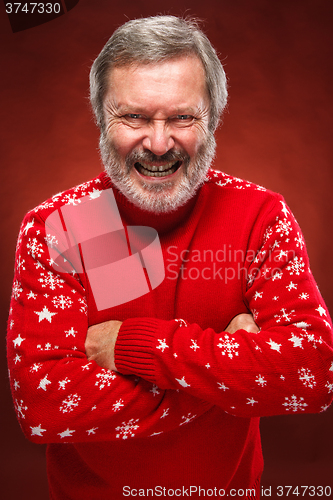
x,y
277,132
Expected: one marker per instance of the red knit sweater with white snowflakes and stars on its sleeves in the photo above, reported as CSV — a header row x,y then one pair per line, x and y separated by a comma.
x,y
182,413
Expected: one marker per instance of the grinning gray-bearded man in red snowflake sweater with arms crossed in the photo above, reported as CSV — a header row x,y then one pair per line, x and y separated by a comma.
x,y
163,396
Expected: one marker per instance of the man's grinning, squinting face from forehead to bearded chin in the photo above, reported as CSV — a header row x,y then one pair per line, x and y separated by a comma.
x,y
156,147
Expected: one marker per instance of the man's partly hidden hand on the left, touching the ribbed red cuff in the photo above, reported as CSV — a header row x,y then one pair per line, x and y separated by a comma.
x,y
100,343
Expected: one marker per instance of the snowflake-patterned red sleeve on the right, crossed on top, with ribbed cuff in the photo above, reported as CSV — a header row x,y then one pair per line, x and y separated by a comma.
x,y
285,368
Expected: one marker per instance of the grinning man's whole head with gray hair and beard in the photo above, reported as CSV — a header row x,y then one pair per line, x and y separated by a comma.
x,y
158,90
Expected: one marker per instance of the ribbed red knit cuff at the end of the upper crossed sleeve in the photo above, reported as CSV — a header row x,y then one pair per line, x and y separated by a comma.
x,y
134,348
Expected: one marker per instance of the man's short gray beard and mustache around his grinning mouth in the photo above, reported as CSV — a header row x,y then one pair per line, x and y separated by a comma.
x,y
155,197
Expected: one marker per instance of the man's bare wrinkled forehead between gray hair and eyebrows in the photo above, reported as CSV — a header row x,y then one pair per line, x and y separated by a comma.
x,y
178,83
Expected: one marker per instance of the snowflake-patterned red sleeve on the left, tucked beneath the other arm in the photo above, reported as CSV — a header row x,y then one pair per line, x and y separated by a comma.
x,y
58,395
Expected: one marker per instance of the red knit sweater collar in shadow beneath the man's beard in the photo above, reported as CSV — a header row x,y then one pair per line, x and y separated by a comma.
x,y
133,215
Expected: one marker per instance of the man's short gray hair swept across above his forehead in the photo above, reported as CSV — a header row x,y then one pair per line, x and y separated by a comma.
x,y
152,40
